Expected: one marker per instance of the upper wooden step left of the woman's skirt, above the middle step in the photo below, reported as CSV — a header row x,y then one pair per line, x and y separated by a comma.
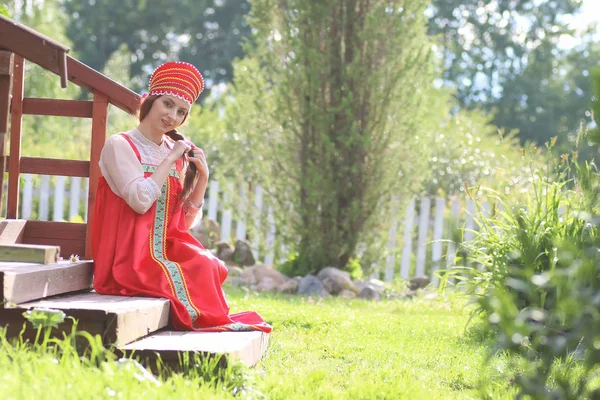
x,y
22,282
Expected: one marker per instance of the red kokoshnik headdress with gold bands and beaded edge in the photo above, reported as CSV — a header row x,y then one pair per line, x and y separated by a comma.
x,y
177,78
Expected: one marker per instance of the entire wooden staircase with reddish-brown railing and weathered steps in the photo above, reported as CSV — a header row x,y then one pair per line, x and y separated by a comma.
x,y
131,324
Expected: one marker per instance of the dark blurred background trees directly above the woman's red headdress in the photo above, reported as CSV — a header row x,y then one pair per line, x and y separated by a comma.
x,y
206,33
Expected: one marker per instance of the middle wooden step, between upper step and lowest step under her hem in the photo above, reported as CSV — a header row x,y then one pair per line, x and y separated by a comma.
x,y
117,319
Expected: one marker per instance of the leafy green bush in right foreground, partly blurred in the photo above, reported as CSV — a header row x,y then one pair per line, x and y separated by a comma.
x,y
536,278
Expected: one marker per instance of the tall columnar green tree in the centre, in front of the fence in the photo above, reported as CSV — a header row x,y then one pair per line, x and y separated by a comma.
x,y
329,106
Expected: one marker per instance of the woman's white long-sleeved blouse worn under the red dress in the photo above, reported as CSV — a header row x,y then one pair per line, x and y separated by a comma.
x,y
123,171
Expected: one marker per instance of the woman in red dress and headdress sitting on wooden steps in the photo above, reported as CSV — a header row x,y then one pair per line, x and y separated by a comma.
x,y
150,193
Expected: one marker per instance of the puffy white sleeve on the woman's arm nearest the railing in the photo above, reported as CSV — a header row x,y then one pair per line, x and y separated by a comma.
x,y
124,174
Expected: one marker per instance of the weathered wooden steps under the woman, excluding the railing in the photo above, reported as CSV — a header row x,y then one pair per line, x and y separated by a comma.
x,y
137,326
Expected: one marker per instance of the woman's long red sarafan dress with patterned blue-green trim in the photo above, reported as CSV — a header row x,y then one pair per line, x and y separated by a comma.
x,y
153,254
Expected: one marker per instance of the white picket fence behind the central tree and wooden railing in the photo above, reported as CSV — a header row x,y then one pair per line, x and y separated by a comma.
x,y
434,224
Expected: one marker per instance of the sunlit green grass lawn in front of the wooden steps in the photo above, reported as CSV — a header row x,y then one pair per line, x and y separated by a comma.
x,y
330,349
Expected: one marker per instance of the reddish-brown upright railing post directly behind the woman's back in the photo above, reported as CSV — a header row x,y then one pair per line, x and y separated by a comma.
x,y
99,115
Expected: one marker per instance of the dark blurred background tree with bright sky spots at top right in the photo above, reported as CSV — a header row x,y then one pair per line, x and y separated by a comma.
x,y
504,57
